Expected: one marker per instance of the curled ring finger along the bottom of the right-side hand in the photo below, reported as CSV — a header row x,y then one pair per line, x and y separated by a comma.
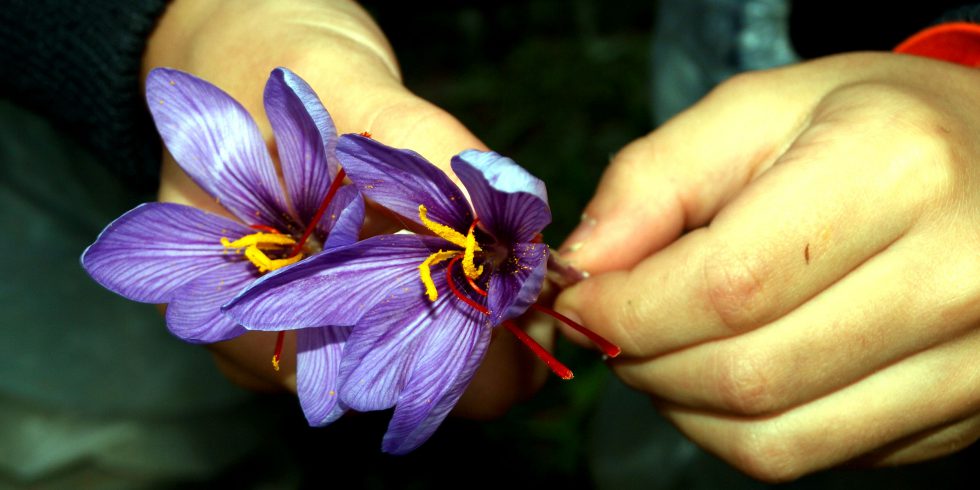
x,y
923,391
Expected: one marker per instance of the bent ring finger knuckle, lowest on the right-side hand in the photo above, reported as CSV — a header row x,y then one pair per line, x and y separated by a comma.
x,y
765,453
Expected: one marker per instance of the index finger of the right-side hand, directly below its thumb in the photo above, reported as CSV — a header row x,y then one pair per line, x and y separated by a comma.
x,y
794,231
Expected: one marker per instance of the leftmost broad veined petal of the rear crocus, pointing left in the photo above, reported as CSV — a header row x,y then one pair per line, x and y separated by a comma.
x,y
149,252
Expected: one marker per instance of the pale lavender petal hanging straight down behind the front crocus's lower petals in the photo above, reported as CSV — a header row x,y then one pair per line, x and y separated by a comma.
x,y
318,354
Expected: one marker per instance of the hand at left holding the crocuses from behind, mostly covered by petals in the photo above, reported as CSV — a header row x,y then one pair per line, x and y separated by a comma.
x,y
336,47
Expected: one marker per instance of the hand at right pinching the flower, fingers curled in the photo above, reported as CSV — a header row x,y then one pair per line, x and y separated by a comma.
x,y
792,266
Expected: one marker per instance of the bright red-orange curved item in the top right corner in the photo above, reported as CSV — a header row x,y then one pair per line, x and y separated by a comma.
x,y
957,42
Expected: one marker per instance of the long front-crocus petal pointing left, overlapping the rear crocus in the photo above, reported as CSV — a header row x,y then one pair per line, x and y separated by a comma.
x,y
333,288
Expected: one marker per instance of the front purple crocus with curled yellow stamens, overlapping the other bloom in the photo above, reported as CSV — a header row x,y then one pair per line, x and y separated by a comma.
x,y
421,306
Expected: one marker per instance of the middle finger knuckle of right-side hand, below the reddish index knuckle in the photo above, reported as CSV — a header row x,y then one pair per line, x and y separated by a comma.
x,y
745,386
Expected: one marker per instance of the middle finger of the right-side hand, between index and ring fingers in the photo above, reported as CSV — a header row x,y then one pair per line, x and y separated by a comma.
x,y
900,302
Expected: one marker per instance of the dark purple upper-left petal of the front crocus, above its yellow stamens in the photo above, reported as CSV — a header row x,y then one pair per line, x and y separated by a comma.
x,y
400,180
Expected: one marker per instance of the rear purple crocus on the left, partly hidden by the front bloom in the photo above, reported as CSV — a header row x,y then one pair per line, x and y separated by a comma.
x,y
195,261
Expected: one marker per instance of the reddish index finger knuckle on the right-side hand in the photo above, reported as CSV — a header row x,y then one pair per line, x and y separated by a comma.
x,y
735,289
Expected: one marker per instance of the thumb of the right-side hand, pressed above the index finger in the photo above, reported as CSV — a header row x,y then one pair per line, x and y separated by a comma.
x,y
677,177
